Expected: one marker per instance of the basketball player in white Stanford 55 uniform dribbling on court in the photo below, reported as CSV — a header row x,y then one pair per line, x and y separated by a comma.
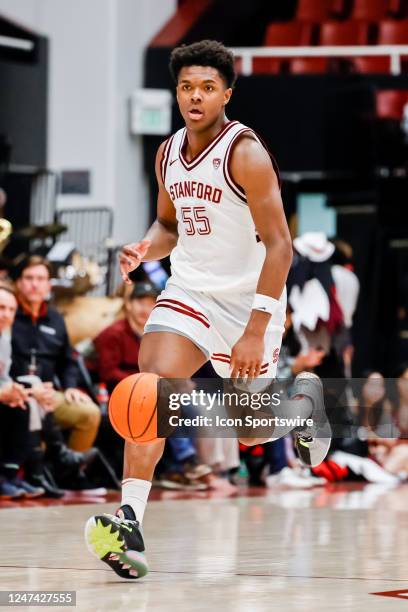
x,y
220,217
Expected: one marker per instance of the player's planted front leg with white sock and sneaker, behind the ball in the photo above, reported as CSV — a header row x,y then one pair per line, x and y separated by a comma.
x,y
117,539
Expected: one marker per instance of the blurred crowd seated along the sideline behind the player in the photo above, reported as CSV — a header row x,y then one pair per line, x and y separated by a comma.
x,y
55,434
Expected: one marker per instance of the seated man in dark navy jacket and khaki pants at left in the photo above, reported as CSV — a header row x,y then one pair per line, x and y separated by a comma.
x,y
40,346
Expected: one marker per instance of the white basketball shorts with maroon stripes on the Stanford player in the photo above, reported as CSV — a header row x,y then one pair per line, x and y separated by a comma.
x,y
214,323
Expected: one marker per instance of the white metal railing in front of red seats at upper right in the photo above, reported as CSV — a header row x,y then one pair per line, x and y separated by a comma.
x,y
394,52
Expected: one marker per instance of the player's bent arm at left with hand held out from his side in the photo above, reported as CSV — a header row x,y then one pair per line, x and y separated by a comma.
x,y
161,237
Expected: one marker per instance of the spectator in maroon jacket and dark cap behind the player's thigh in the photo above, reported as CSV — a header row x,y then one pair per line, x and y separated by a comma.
x,y
117,346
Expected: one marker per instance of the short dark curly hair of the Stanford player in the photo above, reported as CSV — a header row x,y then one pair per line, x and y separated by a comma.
x,y
204,53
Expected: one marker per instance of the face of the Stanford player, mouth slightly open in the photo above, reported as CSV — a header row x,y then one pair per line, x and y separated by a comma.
x,y
201,95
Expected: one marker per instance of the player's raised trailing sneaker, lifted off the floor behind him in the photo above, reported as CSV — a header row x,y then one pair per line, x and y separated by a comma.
x,y
312,443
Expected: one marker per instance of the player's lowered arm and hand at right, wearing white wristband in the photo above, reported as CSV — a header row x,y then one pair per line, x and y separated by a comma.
x,y
252,168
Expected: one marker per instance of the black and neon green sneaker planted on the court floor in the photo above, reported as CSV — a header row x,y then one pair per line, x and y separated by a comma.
x,y
117,540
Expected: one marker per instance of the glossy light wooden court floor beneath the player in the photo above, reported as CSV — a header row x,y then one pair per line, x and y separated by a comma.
x,y
322,549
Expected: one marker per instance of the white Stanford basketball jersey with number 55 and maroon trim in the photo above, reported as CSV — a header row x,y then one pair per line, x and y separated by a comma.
x,y
218,248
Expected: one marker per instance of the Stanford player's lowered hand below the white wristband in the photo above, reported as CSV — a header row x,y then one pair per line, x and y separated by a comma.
x,y
246,356
